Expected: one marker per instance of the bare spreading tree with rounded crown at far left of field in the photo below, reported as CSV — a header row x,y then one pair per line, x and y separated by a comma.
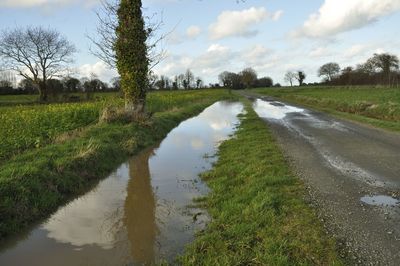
x,y
36,54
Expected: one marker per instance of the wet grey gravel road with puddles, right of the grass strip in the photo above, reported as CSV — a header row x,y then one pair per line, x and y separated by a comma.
x,y
352,172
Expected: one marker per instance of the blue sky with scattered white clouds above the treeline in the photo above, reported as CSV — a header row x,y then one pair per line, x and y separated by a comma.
x,y
212,36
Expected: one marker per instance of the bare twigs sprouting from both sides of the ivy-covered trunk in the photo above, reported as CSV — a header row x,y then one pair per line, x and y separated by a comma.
x,y
104,43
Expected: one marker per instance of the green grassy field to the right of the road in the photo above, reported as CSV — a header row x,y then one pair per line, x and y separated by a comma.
x,y
376,106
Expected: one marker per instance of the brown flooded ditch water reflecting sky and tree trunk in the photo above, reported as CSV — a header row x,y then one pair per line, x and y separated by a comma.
x,y
141,214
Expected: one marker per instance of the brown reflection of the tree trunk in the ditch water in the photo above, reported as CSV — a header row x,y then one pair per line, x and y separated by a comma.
x,y
140,207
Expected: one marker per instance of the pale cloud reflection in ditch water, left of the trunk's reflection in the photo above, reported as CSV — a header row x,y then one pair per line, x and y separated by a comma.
x,y
92,219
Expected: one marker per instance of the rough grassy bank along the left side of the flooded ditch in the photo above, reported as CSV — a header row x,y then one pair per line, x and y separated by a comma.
x,y
35,183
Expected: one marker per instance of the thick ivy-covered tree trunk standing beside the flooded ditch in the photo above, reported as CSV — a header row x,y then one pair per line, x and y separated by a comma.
x,y
131,53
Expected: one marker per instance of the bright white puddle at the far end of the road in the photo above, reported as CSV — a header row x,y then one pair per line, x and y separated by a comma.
x,y
270,110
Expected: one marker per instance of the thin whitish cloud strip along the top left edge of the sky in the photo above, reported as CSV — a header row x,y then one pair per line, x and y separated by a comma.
x,y
45,3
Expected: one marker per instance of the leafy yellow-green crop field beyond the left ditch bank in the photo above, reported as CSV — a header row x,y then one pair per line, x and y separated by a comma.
x,y
34,126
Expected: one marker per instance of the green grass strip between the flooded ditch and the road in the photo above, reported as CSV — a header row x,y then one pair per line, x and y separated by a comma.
x,y
259,214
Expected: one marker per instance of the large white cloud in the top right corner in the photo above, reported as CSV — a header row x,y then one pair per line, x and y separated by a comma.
x,y
336,16
